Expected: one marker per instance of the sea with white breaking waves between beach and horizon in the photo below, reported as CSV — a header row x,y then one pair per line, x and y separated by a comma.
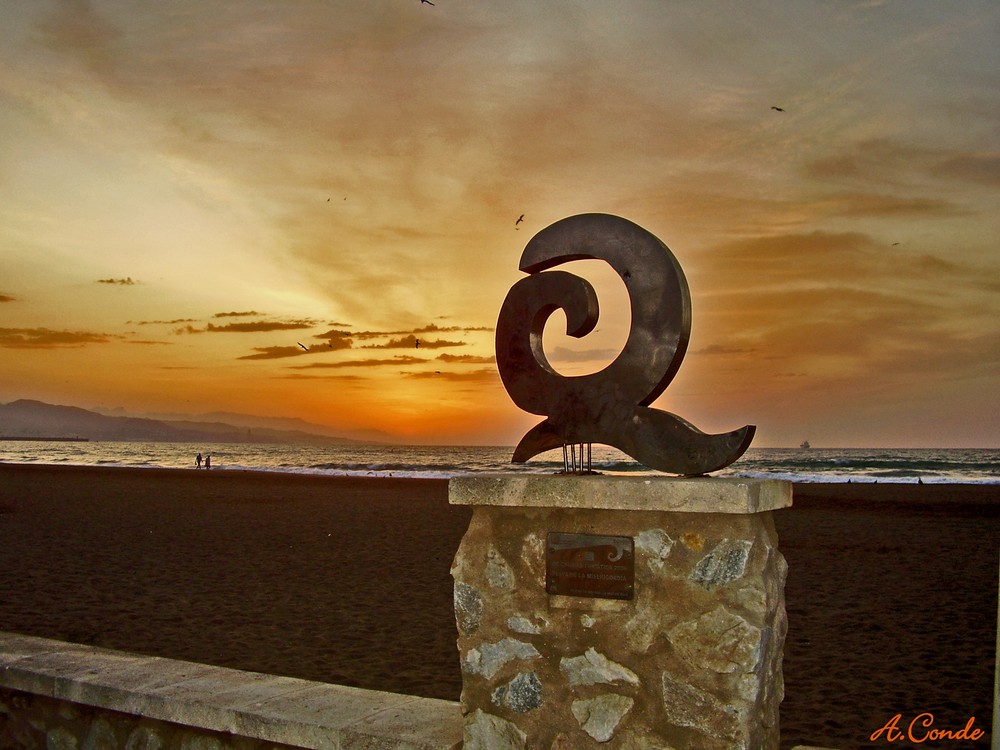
x,y
900,465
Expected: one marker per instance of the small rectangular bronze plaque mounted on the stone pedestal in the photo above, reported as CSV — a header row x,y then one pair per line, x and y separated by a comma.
x,y
590,565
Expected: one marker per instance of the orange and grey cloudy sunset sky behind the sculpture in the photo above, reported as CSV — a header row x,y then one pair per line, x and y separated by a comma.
x,y
261,207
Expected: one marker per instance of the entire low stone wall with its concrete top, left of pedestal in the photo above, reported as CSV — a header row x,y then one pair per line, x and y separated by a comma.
x,y
64,696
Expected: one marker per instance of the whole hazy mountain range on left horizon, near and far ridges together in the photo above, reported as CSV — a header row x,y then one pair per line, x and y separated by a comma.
x,y
27,419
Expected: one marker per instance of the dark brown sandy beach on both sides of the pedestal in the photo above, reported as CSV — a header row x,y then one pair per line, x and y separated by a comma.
x,y
891,593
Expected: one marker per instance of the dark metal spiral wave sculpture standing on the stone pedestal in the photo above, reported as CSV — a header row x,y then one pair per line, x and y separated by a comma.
x,y
610,406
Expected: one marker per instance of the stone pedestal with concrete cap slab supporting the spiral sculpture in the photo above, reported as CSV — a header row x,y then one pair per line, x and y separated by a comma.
x,y
691,661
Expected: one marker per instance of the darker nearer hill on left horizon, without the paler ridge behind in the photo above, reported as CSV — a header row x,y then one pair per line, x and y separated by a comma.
x,y
35,419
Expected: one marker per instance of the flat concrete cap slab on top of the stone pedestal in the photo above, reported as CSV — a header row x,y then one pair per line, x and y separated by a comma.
x,y
675,494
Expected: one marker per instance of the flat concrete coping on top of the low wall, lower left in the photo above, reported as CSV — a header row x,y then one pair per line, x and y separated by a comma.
x,y
267,707
